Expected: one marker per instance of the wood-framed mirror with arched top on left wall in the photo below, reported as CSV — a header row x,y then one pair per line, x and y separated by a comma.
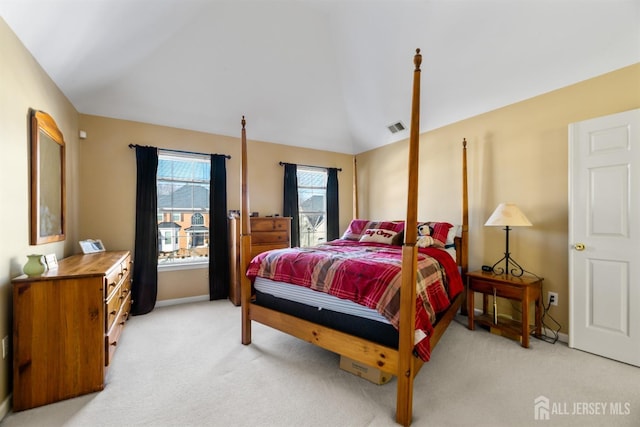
x,y
47,180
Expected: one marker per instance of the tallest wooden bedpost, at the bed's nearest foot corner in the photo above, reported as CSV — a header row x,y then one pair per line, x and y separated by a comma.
x,y
404,403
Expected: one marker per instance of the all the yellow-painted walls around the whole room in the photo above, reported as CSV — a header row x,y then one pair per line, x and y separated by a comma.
x,y
517,153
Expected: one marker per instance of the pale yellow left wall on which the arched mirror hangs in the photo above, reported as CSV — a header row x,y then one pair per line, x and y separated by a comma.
x,y
24,85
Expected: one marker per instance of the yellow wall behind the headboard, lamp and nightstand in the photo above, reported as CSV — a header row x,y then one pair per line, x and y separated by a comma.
x,y
518,153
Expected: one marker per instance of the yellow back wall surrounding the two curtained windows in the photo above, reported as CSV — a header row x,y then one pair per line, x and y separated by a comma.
x,y
107,188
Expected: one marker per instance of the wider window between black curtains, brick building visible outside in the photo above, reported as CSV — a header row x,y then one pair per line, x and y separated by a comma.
x,y
183,208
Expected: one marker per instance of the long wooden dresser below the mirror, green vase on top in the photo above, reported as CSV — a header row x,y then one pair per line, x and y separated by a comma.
x,y
66,326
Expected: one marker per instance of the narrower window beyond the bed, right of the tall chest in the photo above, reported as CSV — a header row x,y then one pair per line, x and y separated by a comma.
x,y
312,205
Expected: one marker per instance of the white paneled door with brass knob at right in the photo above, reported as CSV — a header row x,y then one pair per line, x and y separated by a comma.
x,y
604,236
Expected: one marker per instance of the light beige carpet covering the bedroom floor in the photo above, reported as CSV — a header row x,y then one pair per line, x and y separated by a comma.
x,y
184,366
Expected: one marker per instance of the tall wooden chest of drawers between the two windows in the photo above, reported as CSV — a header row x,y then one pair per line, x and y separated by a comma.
x,y
266,233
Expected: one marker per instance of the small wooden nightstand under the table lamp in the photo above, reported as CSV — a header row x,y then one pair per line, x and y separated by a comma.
x,y
526,289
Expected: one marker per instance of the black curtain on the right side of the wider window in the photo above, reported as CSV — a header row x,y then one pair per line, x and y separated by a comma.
x,y
218,230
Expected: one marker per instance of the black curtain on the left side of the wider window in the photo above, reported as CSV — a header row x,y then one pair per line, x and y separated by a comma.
x,y
144,289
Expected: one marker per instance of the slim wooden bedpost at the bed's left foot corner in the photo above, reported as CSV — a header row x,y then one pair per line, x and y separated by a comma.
x,y
245,243
